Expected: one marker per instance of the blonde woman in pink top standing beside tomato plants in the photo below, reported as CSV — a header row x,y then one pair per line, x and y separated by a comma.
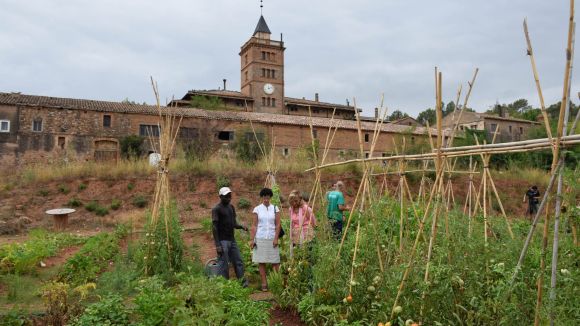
x,y
302,220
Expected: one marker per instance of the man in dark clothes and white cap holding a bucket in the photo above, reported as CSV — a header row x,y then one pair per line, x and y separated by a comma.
x,y
224,222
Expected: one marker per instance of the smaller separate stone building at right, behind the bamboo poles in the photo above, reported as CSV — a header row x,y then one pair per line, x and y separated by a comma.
x,y
509,129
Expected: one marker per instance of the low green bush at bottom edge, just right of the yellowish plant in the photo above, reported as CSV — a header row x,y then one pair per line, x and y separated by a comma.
x,y
108,311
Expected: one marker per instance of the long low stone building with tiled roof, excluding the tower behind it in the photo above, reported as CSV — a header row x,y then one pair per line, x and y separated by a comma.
x,y
39,129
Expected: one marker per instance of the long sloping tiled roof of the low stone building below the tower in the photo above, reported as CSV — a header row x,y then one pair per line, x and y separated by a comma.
x,y
118,107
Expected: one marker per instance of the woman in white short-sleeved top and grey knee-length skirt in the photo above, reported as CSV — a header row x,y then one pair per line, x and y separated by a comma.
x,y
264,235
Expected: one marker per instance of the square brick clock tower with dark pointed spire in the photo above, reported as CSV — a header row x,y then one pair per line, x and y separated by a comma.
x,y
262,69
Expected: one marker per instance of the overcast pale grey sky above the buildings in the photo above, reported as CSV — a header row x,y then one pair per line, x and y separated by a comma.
x,y
341,49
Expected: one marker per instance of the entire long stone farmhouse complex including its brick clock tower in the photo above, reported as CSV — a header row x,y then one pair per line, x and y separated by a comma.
x,y
41,129
